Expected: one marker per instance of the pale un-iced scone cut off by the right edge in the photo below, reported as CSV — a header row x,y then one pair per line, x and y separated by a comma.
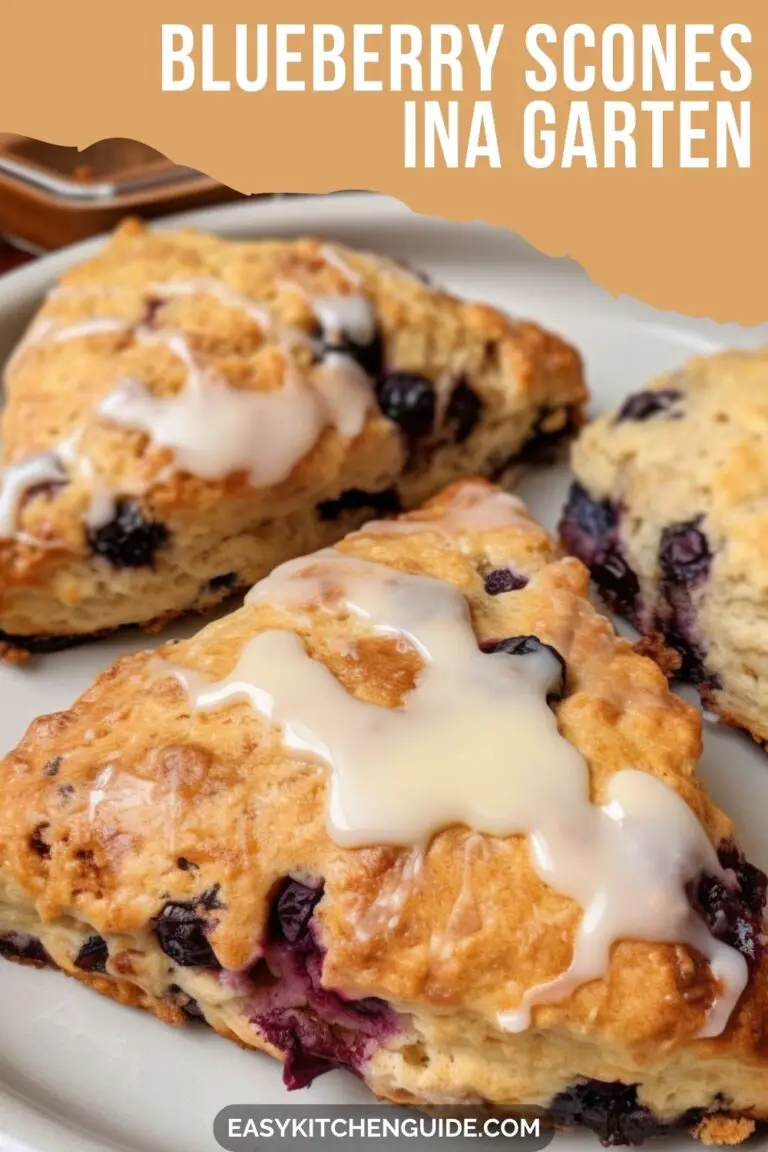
x,y
671,513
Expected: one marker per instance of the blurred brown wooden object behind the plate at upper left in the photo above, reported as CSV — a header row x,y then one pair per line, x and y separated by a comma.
x,y
52,196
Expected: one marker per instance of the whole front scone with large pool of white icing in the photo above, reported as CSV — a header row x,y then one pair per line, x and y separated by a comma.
x,y
417,813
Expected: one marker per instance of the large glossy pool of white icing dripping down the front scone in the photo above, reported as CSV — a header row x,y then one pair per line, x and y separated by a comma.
x,y
477,745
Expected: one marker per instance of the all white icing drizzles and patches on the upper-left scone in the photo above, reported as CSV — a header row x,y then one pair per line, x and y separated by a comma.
x,y
212,429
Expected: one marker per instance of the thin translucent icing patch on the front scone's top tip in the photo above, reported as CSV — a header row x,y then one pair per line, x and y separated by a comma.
x,y
474,509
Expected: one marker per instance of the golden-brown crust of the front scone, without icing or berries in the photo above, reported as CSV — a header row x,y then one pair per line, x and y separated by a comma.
x,y
133,800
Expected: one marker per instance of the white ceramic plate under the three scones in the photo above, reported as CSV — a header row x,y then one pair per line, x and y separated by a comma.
x,y
80,1074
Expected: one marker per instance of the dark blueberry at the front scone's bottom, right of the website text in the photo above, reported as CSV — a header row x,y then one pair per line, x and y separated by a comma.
x,y
612,1111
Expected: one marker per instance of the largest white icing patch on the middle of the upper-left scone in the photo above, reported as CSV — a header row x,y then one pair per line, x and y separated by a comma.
x,y
215,430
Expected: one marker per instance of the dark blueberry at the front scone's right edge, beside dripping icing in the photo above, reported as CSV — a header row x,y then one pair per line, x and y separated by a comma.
x,y
735,916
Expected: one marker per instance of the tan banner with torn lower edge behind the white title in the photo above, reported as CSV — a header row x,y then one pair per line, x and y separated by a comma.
x,y
691,239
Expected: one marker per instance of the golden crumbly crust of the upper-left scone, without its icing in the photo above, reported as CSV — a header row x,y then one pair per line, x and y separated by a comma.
x,y
523,383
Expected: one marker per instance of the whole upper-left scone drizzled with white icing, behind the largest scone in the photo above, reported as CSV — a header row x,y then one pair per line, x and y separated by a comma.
x,y
186,413
